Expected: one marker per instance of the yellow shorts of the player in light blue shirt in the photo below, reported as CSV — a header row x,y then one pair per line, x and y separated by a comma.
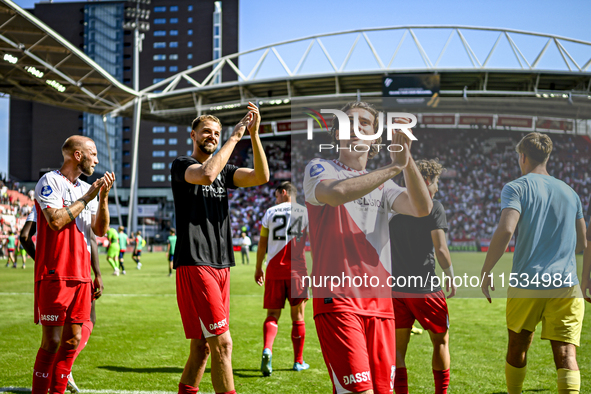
x,y
561,312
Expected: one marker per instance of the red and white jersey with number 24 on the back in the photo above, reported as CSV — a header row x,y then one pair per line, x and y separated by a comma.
x,y
287,224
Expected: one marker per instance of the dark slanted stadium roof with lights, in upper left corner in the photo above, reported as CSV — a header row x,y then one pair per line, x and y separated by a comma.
x,y
38,64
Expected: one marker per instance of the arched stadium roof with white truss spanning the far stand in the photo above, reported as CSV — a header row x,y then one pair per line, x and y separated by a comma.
x,y
479,67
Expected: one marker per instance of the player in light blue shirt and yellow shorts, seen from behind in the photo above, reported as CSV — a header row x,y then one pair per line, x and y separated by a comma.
x,y
548,218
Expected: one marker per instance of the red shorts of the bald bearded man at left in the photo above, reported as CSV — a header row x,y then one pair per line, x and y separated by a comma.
x,y
62,301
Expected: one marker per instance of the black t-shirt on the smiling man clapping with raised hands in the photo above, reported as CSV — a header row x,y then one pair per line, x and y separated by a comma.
x,y
203,229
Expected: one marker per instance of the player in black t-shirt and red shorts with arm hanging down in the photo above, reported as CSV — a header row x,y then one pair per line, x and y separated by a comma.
x,y
415,242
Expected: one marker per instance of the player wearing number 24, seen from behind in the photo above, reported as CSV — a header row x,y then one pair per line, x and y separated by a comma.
x,y
283,236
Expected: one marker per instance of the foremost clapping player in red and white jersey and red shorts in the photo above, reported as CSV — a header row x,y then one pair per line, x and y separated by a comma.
x,y
348,209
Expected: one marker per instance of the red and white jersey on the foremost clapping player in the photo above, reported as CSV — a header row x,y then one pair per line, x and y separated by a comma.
x,y
350,241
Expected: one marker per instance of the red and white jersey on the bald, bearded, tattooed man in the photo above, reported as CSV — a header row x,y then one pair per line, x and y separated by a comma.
x,y
64,254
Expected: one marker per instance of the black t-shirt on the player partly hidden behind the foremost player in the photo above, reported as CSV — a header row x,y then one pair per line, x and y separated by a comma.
x,y
412,249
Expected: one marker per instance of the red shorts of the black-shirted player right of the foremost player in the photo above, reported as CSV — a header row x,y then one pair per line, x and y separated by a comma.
x,y
429,309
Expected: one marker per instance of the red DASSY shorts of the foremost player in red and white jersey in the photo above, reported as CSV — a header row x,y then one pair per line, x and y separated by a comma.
x,y
359,351
